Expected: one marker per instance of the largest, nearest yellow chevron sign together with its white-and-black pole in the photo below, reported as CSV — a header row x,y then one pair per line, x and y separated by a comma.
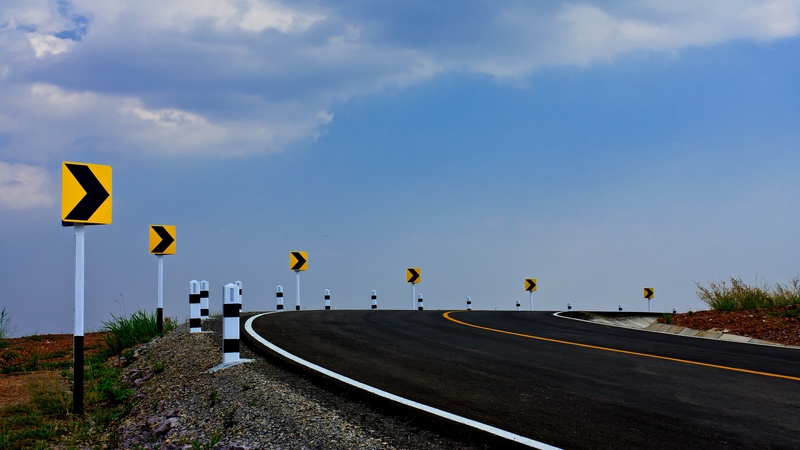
x,y
86,199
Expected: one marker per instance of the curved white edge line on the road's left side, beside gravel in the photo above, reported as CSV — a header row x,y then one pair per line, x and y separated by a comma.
x,y
389,396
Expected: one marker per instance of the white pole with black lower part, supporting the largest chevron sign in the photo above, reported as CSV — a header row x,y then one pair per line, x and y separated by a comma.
x,y
77,341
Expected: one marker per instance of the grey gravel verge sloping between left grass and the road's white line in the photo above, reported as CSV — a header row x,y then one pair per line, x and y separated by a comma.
x,y
177,404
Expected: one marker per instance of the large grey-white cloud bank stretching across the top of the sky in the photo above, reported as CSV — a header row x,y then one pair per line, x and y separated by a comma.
x,y
223,77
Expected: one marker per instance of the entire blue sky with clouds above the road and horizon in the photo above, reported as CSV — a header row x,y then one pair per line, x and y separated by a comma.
x,y
599,147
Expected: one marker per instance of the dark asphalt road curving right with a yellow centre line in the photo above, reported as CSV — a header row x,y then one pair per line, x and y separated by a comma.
x,y
619,388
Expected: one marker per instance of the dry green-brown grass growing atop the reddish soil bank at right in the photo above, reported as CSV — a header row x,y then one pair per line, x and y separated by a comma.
x,y
736,295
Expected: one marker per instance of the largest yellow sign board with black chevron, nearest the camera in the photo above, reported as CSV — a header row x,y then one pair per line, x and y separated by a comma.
x,y
85,193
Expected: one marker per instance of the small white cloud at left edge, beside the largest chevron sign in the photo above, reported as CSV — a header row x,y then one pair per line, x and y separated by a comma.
x,y
24,187
